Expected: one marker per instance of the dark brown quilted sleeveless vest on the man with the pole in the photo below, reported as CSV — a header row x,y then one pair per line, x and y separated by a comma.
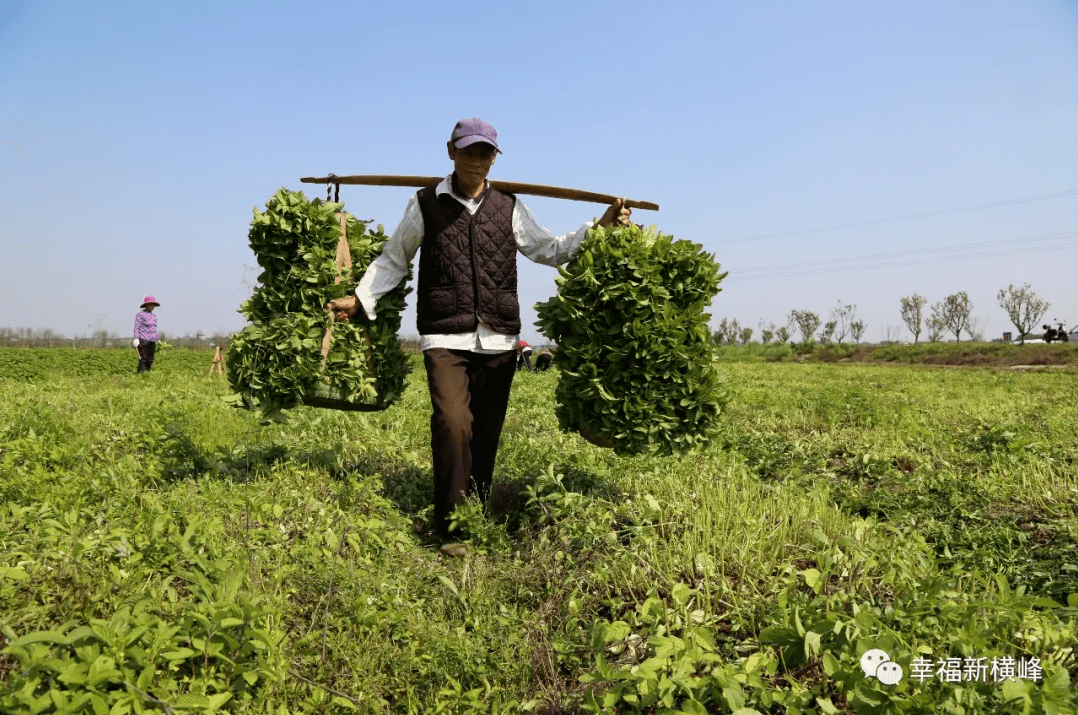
x,y
467,266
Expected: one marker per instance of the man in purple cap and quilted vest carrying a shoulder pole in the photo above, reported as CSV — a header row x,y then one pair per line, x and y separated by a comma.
x,y
469,317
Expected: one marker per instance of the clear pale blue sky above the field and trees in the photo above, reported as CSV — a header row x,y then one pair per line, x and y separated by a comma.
x,y
135,143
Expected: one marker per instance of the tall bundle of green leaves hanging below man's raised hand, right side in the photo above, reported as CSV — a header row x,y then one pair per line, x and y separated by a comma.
x,y
638,364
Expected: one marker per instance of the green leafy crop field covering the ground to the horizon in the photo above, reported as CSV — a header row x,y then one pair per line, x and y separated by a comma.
x,y
161,552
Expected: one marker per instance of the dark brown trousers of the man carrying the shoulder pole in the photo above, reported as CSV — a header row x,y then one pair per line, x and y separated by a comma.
x,y
469,393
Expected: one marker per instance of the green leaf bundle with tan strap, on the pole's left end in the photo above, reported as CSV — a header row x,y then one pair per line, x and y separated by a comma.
x,y
277,363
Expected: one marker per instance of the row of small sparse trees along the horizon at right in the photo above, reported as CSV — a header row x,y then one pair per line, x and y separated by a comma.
x,y
953,315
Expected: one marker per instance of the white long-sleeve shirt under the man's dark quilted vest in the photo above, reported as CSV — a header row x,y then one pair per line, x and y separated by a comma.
x,y
386,272
